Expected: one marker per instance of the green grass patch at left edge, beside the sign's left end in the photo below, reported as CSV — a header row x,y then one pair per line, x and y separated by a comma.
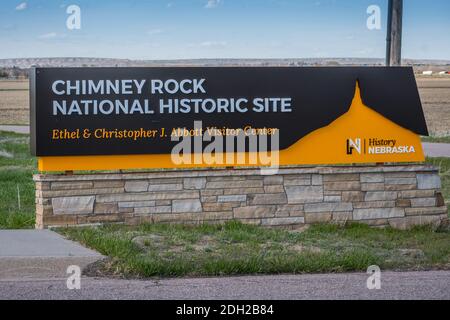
x,y
16,170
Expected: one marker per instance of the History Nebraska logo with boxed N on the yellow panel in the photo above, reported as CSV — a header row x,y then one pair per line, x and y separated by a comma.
x,y
377,146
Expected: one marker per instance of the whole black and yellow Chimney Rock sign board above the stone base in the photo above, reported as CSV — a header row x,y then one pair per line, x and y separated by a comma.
x,y
121,118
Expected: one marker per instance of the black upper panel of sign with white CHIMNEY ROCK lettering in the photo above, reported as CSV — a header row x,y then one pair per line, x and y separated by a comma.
x,y
113,105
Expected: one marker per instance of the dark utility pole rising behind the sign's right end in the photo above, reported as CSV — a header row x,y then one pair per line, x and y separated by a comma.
x,y
394,33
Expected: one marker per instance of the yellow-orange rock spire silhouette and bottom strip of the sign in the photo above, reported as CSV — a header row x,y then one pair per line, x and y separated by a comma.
x,y
361,135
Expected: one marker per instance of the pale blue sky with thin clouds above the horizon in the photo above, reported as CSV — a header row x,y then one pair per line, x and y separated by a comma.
x,y
195,29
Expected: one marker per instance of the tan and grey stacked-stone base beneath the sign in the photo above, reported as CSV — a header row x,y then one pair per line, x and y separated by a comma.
x,y
397,196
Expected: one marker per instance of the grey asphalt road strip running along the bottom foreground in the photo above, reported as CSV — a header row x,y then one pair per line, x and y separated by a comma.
x,y
394,285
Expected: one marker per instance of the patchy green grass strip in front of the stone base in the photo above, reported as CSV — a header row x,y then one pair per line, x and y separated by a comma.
x,y
163,250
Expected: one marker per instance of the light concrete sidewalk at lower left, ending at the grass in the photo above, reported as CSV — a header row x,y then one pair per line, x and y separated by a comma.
x,y
33,254
